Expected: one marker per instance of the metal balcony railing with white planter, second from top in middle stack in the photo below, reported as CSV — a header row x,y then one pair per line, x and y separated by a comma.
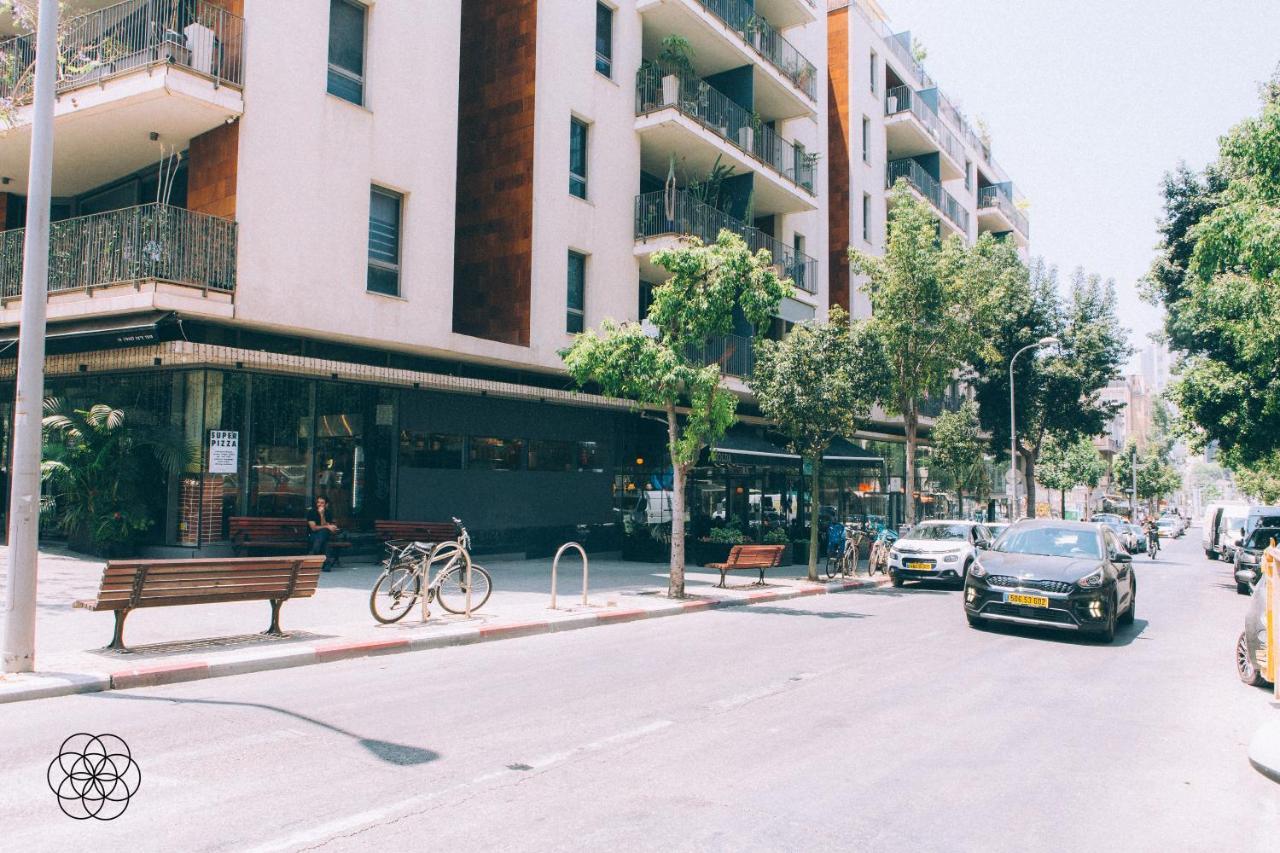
x,y
694,98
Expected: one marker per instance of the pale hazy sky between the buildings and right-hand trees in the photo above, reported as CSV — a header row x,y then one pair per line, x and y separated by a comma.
x,y
1091,102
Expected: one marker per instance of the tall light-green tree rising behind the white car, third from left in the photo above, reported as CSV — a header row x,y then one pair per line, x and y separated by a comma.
x,y
931,305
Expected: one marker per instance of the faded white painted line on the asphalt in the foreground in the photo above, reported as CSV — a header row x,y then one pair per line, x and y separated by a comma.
x,y
326,833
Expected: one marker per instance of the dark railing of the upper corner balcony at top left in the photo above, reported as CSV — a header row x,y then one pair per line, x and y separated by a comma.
x,y
138,34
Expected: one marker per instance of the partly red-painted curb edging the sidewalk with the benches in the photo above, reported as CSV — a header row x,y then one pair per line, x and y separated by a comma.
x,y
28,687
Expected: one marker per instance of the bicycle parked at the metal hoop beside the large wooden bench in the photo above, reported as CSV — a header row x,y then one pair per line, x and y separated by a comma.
x,y
400,586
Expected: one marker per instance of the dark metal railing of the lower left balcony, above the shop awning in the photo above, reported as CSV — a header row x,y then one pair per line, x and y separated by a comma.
x,y
131,245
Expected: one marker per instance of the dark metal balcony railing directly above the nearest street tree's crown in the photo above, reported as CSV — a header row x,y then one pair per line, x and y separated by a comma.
x,y
694,218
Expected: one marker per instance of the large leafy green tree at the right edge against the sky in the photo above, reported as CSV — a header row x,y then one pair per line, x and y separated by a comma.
x,y
1218,277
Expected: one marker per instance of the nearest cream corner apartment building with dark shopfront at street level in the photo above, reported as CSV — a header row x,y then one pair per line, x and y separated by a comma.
x,y
340,245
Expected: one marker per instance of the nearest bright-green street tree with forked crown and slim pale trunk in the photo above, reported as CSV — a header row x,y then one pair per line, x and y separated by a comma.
x,y
708,284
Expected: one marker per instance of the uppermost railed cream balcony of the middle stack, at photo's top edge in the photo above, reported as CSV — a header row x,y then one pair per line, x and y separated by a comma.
x,y
732,34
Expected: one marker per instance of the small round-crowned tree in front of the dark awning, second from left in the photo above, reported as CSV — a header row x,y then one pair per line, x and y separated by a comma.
x,y
820,385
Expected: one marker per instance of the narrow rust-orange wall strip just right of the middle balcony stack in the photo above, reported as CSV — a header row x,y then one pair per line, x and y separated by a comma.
x,y
838,157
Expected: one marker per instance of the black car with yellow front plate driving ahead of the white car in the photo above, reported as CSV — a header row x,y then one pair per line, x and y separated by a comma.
x,y
1071,576
